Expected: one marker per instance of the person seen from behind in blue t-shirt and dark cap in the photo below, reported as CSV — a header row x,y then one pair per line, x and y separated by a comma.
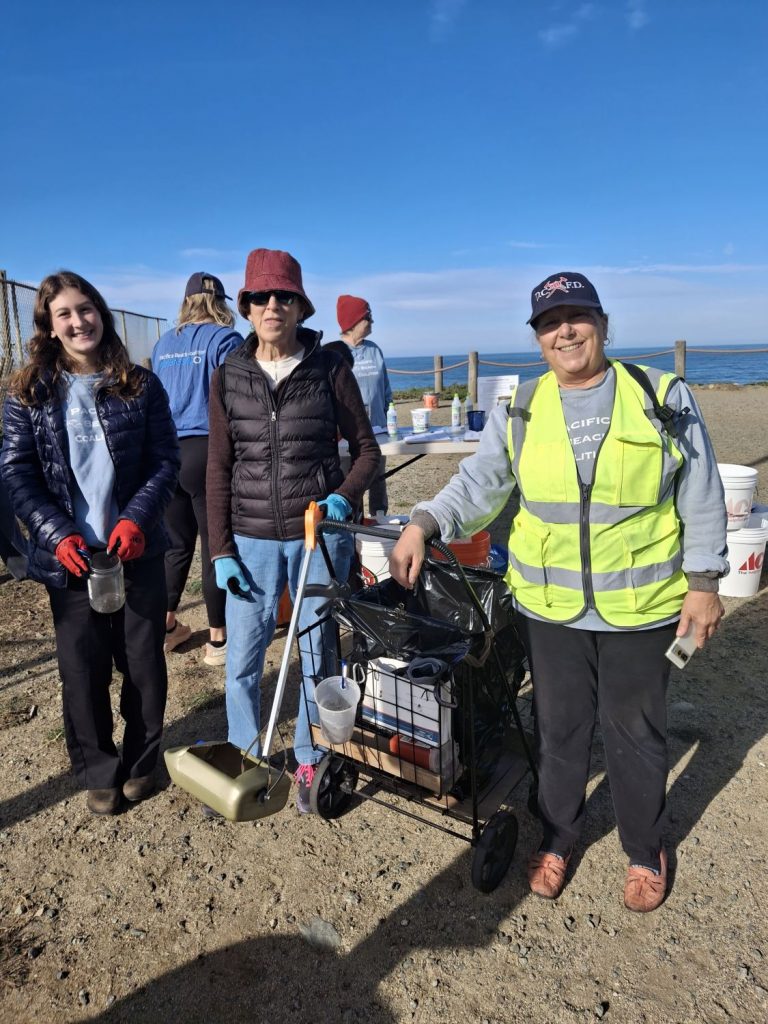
x,y
185,360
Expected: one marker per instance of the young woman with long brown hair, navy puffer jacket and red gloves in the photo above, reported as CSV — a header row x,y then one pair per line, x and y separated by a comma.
x,y
91,461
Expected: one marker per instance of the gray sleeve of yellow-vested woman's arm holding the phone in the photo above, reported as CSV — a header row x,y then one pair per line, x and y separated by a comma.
x,y
700,499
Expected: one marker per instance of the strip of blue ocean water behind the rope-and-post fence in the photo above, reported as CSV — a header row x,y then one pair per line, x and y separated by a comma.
x,y
738,365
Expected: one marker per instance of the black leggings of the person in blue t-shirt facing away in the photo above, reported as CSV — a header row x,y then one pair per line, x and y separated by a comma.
x,y
186,518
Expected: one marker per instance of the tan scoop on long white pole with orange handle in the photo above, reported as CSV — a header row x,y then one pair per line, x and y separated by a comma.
x,y
241,787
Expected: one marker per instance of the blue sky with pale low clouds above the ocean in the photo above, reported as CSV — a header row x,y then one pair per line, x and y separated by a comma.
x,y
438,157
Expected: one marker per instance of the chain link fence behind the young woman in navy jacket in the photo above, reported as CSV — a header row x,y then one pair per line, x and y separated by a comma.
x,y
17,307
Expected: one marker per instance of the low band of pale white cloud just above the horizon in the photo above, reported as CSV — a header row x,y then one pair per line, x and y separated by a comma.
x,y
486,309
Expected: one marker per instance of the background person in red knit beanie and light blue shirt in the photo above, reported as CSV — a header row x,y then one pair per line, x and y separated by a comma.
x,y
356,321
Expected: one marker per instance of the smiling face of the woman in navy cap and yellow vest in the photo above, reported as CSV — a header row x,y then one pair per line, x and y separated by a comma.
x,y
573,343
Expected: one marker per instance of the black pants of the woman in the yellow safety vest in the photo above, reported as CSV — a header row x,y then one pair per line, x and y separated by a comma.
x,y
622,677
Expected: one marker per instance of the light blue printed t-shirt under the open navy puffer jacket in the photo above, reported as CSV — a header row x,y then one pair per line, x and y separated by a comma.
x,y
96,507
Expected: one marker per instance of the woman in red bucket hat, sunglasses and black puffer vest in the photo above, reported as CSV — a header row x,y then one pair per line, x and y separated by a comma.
x,y
277,408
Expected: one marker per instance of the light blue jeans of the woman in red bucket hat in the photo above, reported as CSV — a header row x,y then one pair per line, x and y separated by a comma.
x,y
250,627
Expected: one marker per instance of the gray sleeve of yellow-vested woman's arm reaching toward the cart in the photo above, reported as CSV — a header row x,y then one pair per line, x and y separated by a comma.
x,y
479,492
